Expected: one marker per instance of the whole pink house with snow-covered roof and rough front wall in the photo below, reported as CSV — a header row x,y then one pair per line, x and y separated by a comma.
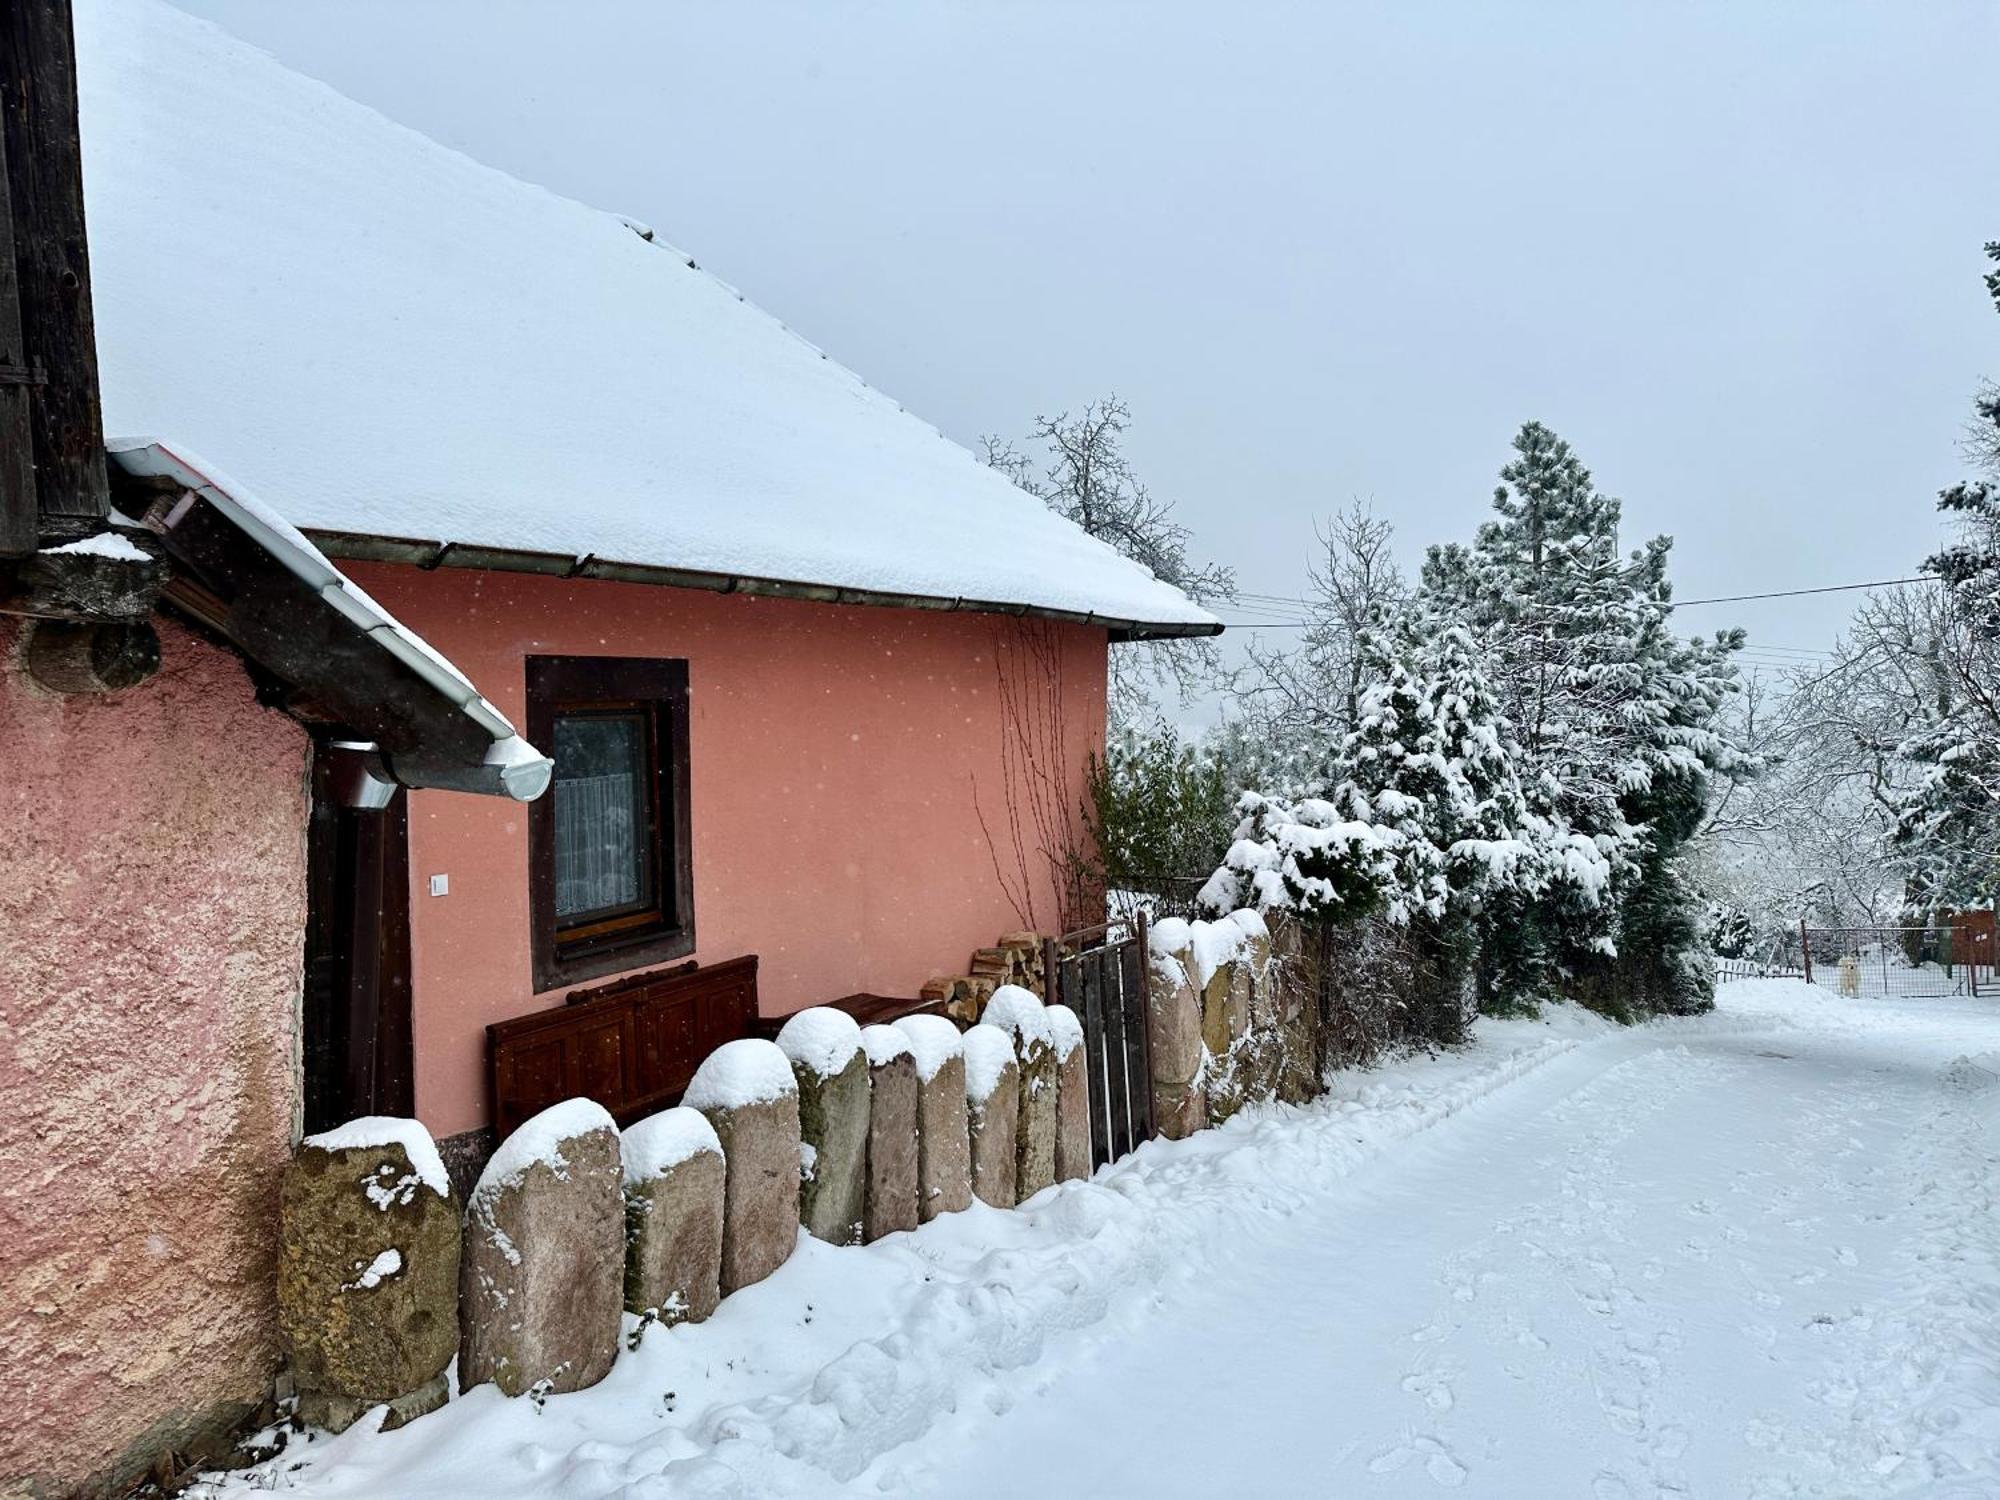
x,y
497,607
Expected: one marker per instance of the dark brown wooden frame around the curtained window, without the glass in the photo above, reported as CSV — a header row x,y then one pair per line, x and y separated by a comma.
x,y
665,929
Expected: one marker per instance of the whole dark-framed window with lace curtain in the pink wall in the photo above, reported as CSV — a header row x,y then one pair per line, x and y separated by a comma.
x,y
611,871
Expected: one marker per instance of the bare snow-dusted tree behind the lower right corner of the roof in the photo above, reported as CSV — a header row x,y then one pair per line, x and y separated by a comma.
x,y
1085,475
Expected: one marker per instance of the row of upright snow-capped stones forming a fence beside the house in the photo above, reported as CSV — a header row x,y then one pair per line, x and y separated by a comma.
x,y
843,1133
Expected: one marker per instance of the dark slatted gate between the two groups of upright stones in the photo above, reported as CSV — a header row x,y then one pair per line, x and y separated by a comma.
x,y
1101,975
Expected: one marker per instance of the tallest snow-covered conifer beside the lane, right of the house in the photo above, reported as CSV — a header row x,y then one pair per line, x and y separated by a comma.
x,y
1619,731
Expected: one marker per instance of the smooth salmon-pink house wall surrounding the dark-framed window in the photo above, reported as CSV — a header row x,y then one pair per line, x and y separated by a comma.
x,y
835,755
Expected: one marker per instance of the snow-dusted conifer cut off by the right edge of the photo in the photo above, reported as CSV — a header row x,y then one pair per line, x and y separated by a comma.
x,y
1949,825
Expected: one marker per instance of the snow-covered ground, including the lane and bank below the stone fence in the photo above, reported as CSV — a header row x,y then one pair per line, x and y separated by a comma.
x,y
1749,1255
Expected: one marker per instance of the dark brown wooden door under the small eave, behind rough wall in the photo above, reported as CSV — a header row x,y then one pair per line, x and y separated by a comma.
x,y
357,1015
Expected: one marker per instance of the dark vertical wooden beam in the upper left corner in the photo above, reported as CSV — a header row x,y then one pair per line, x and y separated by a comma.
x,y
45,185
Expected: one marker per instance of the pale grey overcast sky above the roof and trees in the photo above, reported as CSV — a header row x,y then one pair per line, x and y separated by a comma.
x,y
1325,251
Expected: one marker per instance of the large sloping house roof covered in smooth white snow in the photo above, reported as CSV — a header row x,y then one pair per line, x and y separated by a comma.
x,y
385,339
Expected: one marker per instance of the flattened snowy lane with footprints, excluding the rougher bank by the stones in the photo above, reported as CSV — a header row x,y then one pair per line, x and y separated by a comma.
x,y
1693,1269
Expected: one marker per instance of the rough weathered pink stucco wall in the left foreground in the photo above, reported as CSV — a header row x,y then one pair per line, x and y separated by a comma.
x,y
153,887
